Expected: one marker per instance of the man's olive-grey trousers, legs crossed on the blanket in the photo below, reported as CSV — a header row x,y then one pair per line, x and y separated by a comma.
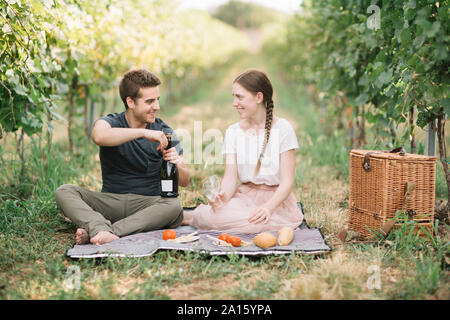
x,y
120,214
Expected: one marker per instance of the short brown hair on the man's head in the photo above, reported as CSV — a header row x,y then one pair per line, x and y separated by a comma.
x,y
133,80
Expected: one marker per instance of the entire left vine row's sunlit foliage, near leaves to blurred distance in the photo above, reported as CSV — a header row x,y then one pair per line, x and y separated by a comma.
x,y
58,49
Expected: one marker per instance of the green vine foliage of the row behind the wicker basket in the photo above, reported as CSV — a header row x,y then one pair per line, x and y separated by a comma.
x,y
399,64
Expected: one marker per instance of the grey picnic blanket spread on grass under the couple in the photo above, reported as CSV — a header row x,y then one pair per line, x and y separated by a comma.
x,y
306,241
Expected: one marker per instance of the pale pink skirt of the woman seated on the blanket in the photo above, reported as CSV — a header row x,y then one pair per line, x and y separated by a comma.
x,y
234,214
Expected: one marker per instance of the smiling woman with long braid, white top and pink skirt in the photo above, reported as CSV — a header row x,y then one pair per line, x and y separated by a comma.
x,y
259,151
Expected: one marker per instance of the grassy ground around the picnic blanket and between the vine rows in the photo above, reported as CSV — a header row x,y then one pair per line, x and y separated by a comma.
x,y
34,235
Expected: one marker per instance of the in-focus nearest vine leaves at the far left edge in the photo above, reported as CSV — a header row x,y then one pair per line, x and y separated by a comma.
x,y
28,68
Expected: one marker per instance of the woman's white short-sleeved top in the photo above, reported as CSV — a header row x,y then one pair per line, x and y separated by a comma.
x,y
248,146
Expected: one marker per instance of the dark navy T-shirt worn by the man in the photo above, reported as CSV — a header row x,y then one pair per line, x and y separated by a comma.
x,y
133,167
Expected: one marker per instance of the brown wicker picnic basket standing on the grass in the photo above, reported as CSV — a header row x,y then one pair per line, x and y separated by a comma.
x,y
383,182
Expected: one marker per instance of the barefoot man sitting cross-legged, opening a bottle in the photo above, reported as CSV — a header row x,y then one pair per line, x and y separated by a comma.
x,y
132,146
